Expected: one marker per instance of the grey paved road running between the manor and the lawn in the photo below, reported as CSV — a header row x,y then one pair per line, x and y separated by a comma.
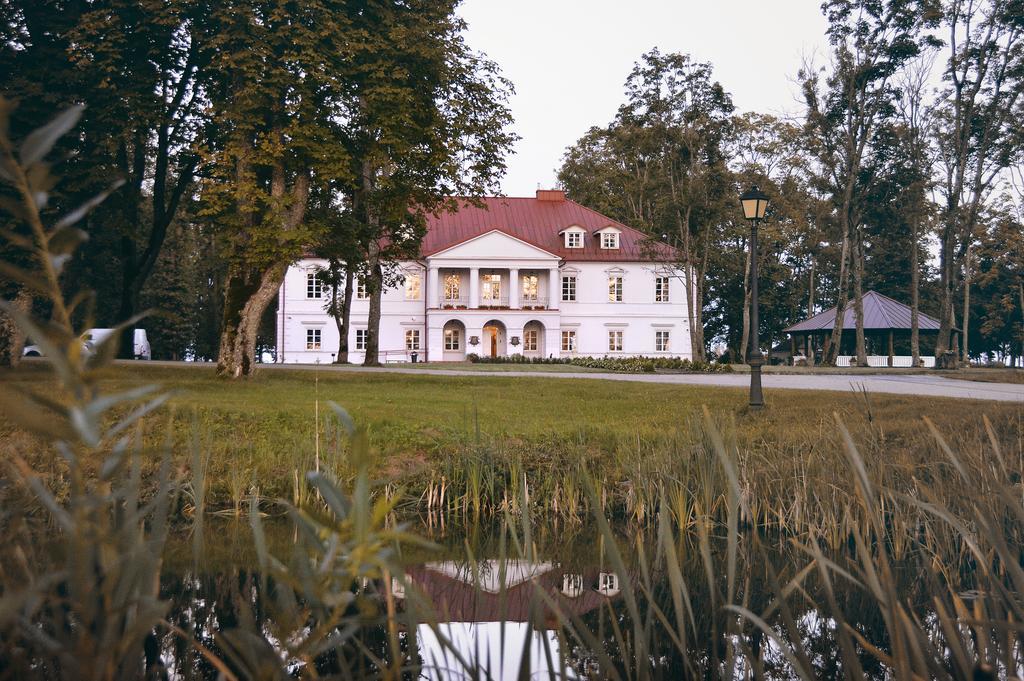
x,y
914,385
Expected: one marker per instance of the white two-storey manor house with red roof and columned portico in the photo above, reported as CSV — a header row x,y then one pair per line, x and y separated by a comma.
x,y
541,277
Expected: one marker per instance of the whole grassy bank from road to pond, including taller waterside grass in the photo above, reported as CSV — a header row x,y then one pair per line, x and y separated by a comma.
x,y
473,441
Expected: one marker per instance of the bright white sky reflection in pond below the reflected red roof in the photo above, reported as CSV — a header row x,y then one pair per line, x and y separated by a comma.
x,y
496,650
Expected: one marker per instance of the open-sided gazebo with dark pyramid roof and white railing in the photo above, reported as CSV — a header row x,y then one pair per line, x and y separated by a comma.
x,y
887,325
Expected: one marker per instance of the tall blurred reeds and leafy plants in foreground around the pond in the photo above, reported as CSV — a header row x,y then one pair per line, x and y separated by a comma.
x,y
799,564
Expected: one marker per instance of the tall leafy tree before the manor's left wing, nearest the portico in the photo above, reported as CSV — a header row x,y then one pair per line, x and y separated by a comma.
x,y
426,121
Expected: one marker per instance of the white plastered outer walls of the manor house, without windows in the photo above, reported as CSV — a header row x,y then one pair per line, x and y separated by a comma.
x,y
592,316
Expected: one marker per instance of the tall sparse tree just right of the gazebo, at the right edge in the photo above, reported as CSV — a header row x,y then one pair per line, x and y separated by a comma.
x,y
976,129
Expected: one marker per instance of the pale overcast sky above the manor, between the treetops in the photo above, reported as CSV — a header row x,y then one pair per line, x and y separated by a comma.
x,y
569,60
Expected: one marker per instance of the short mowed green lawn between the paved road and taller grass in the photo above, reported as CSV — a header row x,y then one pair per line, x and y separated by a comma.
x,y
263,432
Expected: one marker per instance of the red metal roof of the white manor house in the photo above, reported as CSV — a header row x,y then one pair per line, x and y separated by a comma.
x,y
538,221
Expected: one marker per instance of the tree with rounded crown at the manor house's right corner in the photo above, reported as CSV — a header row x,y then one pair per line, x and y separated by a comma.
x,y
660,166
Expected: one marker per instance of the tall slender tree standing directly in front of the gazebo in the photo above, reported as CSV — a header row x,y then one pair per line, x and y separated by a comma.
x,y
871,41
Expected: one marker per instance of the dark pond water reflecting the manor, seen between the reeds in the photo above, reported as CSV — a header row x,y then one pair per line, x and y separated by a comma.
x,y
564,611
